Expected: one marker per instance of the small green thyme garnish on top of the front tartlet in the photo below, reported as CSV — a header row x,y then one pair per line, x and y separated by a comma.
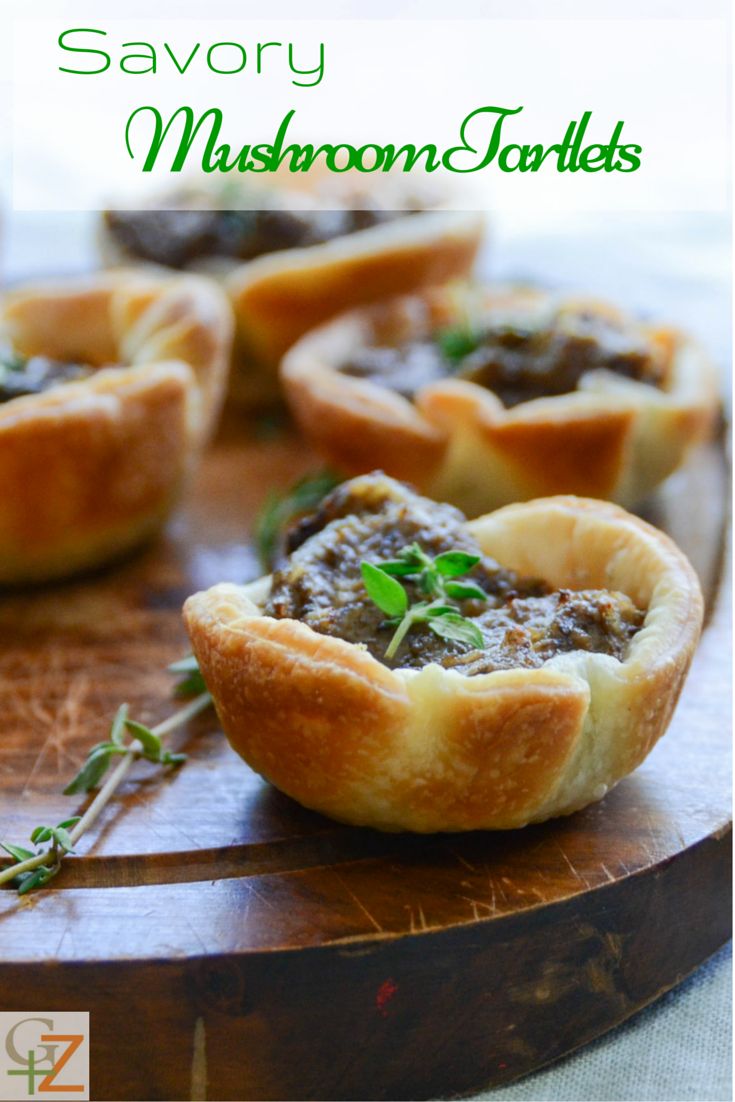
x,y
436,580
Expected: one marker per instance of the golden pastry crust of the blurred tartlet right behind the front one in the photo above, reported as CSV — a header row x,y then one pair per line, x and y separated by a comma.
x,y
613,438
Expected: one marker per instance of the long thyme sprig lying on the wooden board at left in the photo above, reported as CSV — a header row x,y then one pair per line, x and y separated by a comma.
x,y
129,741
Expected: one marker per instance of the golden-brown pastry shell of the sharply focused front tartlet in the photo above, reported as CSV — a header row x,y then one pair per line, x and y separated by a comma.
x,y
433,750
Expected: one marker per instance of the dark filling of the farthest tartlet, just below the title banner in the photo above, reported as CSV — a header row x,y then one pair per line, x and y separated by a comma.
x,y
177,239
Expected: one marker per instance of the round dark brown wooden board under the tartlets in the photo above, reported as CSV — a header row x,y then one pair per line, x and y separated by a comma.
x,y
231,945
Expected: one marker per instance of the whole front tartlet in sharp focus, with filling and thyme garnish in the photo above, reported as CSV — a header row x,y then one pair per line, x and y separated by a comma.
x,y
547,650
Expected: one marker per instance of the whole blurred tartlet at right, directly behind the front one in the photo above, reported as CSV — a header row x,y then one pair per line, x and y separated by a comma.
x,y
487,398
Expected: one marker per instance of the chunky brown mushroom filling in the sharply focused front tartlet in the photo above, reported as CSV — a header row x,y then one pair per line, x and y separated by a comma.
x,y
524,622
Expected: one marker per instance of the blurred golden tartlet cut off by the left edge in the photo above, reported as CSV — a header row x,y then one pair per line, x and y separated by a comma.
x,y
110,387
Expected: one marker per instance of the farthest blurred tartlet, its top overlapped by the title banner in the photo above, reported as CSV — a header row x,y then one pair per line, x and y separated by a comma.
x,y
288,268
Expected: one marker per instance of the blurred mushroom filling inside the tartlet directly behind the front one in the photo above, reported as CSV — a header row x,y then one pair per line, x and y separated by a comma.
x,y
517,362
